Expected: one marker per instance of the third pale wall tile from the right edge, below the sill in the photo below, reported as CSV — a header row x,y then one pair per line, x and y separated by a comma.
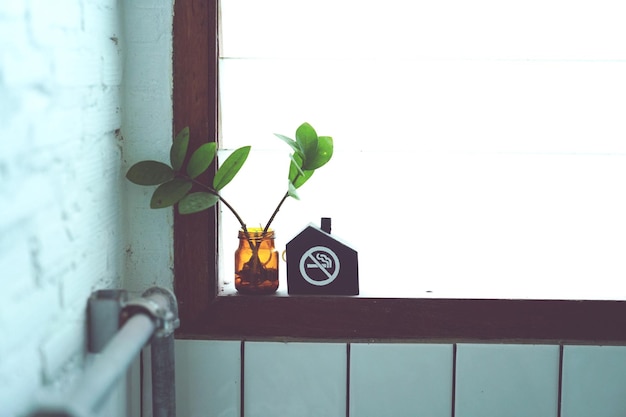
x,y
400,380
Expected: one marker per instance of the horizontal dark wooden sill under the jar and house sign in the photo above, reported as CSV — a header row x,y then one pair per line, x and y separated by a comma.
x,y
281,317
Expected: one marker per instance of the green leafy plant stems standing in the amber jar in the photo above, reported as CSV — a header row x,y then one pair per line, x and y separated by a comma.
x,y
178,183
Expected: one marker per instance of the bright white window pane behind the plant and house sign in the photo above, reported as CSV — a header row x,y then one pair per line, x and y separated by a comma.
x,y
480,146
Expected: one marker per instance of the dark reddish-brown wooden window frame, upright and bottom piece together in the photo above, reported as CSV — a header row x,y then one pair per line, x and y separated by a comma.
x,y
205,315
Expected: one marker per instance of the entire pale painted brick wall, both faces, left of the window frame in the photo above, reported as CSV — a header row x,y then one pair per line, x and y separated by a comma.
x,y
65,118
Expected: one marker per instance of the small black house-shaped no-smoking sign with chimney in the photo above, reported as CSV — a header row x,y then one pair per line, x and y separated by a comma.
x,y
317,263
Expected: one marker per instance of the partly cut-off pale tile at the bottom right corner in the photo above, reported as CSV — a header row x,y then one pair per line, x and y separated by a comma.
x,y
594,381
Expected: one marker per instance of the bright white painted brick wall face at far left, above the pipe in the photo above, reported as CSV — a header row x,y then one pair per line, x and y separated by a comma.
x,y
61,176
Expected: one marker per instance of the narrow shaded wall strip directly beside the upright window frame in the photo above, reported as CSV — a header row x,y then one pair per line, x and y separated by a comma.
x,y
147,129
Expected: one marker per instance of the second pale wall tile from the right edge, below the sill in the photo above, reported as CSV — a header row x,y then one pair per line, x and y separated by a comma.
x,y
507,380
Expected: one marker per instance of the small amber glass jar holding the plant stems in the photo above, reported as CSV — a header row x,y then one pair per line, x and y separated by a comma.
x,y
256,263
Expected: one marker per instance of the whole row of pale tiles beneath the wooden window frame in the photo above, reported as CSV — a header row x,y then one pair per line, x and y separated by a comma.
x,y
394,379
